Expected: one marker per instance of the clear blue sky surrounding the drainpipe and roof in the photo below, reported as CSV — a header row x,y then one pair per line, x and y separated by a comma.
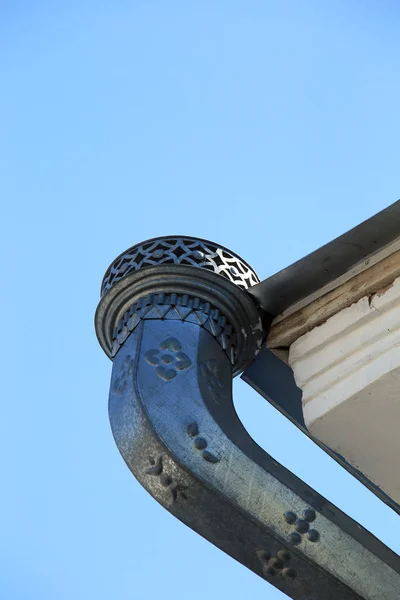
x,y
268,126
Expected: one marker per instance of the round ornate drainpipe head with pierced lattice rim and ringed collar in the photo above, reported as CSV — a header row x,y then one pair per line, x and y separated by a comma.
x,y
187,279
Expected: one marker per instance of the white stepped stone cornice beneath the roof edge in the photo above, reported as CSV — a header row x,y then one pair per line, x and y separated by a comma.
x,y
349,371
